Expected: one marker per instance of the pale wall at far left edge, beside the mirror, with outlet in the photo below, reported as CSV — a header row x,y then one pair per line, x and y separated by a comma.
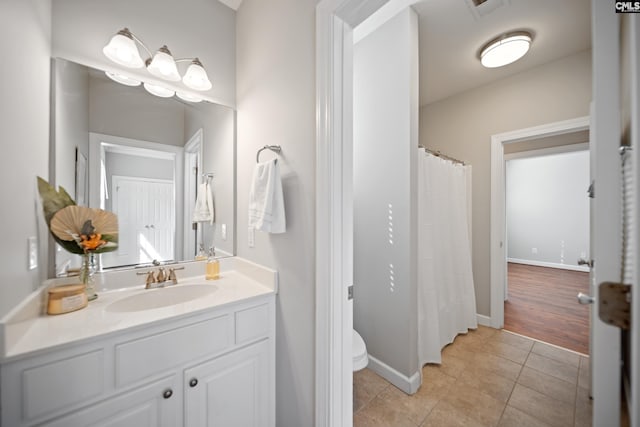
x,y
25,31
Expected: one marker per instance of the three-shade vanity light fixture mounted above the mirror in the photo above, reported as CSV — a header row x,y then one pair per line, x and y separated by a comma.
x,y
123,50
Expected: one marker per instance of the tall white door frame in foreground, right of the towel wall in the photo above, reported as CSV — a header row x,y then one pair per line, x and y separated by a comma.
x,y
335,20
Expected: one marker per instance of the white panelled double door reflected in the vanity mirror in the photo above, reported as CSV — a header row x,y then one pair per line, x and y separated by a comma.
x,y
146,221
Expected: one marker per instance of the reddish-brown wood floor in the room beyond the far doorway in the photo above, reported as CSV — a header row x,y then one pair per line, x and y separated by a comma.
x,y
542,304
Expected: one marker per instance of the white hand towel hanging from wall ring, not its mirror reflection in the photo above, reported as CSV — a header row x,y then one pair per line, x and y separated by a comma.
x,y
266,203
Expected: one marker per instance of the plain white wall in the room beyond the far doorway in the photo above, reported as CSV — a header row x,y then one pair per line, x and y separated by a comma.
x,y
548,209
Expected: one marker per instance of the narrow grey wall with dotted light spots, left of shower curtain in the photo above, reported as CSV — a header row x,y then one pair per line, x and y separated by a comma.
x,y
385,197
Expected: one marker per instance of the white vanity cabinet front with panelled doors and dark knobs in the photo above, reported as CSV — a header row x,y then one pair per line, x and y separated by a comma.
x,y
216,367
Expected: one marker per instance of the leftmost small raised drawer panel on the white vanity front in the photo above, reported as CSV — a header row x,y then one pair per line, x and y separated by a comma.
x,y
55,386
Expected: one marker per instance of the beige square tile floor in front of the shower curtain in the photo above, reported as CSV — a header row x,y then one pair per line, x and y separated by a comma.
x,y
487,378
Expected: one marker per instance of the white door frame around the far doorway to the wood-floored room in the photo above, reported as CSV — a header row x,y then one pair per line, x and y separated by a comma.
x,y
498,256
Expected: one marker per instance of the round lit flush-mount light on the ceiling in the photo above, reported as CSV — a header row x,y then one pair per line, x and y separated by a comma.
x,y
505,49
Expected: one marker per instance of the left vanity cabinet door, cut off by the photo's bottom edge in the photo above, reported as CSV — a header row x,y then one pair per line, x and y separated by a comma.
x,y
156,404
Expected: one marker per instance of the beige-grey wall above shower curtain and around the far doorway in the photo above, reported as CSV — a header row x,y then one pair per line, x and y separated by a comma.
x,y
462,125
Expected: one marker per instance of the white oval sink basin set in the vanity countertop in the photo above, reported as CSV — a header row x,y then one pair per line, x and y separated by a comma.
x,y
161,297
